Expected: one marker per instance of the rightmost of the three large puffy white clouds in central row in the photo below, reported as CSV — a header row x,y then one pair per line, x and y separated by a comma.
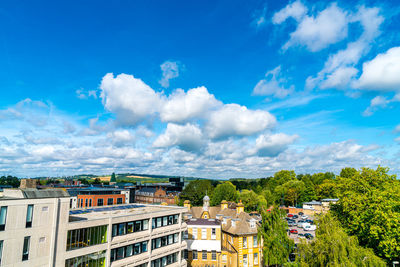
x,y
236,120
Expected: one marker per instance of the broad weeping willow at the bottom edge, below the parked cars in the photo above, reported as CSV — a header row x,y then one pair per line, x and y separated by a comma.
x,y
333,247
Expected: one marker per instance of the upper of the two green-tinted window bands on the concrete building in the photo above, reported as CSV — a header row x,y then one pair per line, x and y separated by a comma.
x,y
85,237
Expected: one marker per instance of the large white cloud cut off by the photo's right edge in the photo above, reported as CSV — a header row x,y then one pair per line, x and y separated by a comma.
x,y
382,73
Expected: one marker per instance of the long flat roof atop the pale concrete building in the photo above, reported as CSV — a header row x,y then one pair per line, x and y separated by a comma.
x,y
119,210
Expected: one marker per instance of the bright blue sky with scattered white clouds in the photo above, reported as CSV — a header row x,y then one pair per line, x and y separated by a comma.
x,y
213,88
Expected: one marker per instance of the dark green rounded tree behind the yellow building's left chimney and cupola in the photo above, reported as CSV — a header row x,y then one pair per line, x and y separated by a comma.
x,y
195,192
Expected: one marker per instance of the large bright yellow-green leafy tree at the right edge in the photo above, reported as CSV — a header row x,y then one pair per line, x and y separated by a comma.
x,y
369,208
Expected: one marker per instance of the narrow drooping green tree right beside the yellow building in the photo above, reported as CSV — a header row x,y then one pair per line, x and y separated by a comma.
x,y
277,245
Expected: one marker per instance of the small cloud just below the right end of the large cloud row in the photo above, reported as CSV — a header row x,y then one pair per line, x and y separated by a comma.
x,y
273,145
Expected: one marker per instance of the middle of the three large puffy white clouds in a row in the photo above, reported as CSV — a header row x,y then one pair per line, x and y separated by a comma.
x,y
181,106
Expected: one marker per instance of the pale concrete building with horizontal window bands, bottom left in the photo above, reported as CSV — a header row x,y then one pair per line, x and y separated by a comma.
x,y
37,228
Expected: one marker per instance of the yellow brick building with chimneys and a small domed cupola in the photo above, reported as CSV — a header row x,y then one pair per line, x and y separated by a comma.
x,y
239,244
